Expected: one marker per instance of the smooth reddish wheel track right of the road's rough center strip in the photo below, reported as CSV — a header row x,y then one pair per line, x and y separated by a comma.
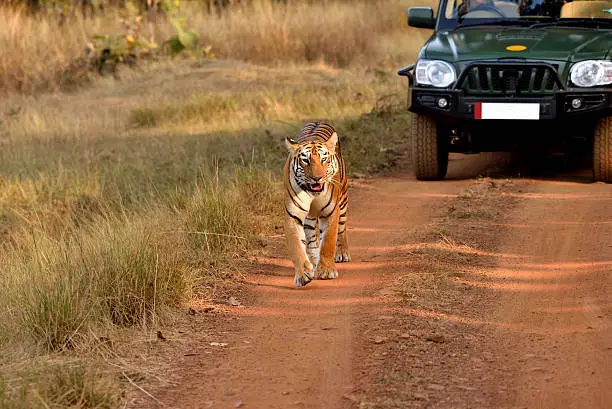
x,y
555,300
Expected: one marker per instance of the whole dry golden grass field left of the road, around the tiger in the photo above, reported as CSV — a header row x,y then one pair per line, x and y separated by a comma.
x,y
108,222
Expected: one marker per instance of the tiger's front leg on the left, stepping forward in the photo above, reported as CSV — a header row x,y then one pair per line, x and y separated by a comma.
x,y
296,244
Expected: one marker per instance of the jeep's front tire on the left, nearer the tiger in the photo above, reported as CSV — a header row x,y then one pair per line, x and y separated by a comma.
x,y
429,152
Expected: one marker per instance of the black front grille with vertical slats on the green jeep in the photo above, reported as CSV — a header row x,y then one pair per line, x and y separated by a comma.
x,y
507,80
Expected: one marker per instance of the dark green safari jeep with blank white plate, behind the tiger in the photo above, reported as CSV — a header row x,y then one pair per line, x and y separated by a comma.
x,y
496,74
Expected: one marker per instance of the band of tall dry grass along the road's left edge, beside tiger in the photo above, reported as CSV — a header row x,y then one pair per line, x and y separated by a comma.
x,y
126,269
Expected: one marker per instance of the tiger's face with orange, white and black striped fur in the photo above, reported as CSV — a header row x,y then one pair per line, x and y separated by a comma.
x,y
314,164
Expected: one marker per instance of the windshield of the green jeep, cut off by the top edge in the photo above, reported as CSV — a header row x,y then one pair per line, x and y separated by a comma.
x,y
530,13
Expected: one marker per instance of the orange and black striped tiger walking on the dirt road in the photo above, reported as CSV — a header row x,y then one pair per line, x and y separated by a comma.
x,y
316,203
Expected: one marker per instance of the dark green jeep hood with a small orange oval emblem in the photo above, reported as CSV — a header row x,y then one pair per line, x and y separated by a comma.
x,y
563,44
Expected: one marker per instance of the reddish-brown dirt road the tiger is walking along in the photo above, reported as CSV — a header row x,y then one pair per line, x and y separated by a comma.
x,y
462,294
